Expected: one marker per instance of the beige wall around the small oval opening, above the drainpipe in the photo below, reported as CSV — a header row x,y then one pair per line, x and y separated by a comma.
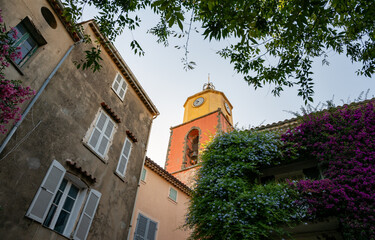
x,y
46,57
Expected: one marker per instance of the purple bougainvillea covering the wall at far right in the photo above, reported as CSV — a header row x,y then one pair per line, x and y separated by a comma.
x,y
343,141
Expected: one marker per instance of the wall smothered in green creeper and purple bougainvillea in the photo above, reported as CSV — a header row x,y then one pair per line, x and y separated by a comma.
x,y
230,202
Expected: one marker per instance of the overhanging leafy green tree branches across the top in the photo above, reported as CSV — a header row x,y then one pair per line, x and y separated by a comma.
x,y
291,33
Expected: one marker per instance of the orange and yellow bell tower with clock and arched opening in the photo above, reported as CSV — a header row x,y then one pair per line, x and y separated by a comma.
x,y
206,113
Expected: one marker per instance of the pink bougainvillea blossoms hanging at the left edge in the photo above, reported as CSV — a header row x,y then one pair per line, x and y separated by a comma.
x,y
12,93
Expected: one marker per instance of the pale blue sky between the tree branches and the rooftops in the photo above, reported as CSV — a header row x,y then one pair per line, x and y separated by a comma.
x,y
161,74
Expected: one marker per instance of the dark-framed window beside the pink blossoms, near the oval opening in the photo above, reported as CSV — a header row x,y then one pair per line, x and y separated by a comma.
x,y
28,40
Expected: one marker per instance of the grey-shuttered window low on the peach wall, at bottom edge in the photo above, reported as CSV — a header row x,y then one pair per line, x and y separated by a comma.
x,y
146,229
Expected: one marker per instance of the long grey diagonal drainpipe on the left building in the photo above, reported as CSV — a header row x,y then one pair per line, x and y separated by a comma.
x,y
31,104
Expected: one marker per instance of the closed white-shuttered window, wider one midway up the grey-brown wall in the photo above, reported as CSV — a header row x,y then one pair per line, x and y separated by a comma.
x,y
101,134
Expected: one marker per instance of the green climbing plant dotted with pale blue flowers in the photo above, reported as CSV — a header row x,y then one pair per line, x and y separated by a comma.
x,y
228,202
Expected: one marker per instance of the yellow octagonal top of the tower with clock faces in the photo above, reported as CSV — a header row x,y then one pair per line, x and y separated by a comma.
x,y
205,102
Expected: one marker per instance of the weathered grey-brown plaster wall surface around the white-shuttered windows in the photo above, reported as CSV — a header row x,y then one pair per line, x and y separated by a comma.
x,y
55,128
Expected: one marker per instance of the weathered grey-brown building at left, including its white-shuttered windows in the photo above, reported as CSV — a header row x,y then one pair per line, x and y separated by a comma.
x,y
72,168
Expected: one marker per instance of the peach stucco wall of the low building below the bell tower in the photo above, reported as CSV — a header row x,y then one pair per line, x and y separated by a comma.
x,y
154,203
